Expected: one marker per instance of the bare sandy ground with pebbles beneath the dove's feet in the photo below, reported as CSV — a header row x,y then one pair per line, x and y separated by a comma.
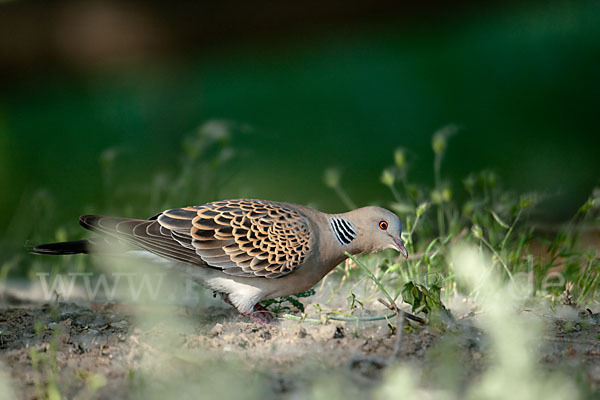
x,y
111,351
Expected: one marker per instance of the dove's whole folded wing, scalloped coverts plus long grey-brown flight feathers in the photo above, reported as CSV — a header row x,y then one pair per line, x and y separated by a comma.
x,y
251,238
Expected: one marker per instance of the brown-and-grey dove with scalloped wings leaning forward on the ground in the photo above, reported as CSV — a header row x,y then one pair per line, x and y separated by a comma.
x,y
245,250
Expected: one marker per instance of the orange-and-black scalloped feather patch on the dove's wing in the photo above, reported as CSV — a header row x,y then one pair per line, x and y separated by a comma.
x,y
252,238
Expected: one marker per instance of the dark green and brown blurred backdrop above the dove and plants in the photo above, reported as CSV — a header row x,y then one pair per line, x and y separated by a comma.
x,y
302,87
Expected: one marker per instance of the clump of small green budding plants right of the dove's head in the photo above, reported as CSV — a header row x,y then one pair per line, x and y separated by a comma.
x,y
483,213
